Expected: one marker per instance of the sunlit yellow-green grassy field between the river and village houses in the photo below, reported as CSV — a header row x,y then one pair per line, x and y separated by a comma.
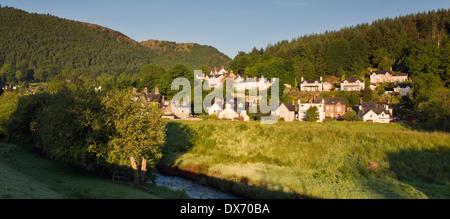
x,y
318,160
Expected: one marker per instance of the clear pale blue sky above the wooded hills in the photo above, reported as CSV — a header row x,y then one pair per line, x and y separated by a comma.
x,y
228,25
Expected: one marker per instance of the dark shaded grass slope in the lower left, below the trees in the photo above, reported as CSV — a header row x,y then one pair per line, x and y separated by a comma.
x,y
25,175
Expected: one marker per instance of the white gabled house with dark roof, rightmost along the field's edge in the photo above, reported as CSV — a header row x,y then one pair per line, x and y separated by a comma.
x,y
375,112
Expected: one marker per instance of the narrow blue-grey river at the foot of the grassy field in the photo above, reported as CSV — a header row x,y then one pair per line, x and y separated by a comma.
x,y
193,189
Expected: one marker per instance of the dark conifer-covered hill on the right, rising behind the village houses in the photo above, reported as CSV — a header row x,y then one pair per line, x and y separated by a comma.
x,y
383,44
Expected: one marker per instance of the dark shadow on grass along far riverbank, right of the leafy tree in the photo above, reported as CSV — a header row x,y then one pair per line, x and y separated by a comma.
x,y
179,140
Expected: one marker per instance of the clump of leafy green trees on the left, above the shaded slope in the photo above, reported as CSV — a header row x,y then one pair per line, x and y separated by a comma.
x,y
106,131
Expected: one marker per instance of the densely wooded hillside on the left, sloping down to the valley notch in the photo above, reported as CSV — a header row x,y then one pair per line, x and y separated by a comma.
x,y
45,45
